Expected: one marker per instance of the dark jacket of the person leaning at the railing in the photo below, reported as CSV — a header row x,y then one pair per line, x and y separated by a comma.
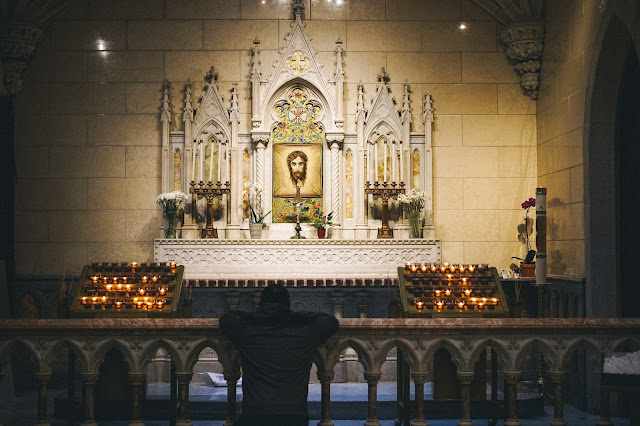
x,y
276,348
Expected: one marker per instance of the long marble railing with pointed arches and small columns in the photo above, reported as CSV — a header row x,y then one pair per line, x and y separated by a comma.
x,y
138,340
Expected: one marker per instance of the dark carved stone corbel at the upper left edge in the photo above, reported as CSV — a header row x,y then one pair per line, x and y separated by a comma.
x,y
17,42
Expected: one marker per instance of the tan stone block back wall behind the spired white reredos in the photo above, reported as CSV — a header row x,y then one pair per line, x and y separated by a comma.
x,y
88,120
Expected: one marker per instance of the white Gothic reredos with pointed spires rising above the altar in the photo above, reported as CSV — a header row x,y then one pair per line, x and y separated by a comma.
x,y
297,112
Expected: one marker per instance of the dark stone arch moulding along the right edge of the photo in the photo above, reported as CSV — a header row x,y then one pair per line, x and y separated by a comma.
x,y
616,35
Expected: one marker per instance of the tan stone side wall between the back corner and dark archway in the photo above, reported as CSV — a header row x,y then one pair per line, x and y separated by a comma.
x,y
571,30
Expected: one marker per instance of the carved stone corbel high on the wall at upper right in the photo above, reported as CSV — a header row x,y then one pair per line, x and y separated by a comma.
x,y
524,43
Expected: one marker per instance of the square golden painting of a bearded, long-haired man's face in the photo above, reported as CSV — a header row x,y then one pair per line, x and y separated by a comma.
x,y
297,164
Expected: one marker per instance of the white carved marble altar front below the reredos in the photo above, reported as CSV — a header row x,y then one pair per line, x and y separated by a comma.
x,y
294,259
